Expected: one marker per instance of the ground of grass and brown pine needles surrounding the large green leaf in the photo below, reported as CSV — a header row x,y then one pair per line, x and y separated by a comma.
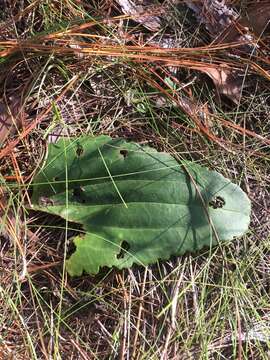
x,y
189,78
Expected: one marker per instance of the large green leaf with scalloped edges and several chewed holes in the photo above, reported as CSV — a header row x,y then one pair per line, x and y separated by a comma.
x,y
136,205
